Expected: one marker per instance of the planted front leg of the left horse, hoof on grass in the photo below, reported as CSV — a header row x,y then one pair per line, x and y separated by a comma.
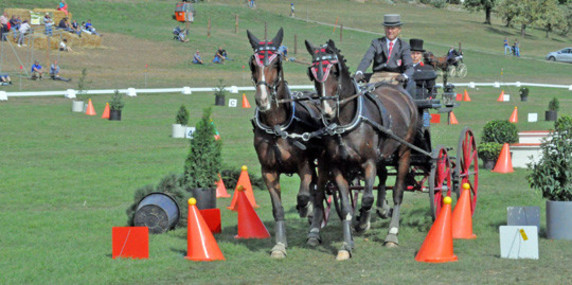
x,y
272,180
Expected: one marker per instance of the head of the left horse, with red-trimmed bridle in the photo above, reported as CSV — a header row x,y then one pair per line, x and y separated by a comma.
x,y
266,68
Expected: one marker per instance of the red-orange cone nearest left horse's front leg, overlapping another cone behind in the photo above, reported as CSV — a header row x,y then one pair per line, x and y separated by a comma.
x,y
249,224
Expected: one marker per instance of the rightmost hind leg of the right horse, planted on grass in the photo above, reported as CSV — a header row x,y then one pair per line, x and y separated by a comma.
x,y
402,170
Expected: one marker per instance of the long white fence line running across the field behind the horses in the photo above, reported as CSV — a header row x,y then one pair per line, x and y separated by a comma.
x,y
132,92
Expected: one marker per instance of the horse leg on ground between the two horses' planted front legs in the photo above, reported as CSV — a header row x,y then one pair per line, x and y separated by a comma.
x,y
318,194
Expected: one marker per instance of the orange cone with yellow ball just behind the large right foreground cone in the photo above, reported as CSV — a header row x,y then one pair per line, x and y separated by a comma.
x,y
462,221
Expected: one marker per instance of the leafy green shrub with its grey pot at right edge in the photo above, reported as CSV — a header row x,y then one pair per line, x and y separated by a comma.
x,y
552,176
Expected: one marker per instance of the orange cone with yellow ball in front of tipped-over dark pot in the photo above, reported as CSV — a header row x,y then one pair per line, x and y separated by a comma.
x,y
201,244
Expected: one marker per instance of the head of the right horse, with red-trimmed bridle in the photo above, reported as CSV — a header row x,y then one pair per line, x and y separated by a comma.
x,y
330,75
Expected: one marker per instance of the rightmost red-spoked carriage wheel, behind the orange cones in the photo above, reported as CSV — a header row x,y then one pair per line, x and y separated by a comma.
x,y
467,165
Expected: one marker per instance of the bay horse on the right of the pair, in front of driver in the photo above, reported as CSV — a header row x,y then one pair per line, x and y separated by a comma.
x,y
357,140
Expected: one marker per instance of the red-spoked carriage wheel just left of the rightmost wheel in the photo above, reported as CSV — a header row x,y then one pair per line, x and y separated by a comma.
x,y
439,180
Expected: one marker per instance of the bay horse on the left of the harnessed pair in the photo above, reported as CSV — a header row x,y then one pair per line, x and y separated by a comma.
x,y
285,132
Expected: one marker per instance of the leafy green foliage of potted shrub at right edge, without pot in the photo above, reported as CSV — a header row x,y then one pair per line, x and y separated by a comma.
x,y
552,175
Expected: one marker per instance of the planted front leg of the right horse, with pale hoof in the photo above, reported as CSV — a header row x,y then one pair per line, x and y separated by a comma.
x,y
347,211
